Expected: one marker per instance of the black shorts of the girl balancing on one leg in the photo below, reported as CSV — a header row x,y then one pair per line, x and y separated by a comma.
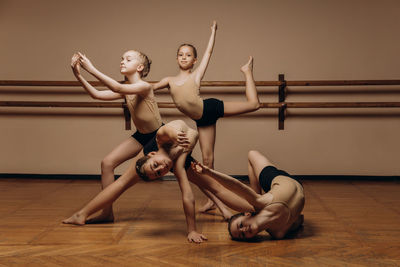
x,y
213,109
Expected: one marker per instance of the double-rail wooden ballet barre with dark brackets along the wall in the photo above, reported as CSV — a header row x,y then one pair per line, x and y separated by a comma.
x,y
281,105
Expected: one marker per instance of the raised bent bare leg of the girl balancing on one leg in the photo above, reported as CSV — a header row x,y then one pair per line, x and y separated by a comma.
x,y
252,103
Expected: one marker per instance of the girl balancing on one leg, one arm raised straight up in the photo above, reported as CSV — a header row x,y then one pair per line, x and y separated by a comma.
x,y
185,92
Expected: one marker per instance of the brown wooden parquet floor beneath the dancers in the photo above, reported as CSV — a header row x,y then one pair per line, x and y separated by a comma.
x,y
347,223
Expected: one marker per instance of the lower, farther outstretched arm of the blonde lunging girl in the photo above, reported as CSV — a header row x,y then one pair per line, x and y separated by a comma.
x,y
93,92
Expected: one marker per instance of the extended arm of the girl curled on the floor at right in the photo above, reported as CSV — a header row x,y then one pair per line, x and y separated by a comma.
x,y
232,184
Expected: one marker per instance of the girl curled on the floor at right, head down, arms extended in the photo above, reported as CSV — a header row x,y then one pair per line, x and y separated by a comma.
x,y
278,211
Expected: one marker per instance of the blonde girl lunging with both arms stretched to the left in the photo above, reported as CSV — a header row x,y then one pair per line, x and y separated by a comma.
x,y
140,99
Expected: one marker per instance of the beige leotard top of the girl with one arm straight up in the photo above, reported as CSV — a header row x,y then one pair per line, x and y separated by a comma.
x,y
187,98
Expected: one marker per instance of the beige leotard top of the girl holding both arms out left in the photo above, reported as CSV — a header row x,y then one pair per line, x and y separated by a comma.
x,y
144,112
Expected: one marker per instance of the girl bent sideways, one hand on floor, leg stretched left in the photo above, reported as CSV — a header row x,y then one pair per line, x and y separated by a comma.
x,y
173,142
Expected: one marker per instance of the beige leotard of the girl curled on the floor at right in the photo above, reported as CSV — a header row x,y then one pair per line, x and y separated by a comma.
x,y
288,192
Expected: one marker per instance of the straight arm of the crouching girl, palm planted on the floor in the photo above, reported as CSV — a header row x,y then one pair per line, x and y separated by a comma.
x,y
188,200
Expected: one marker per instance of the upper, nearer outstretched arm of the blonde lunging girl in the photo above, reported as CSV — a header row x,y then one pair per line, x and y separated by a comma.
x,y
137,88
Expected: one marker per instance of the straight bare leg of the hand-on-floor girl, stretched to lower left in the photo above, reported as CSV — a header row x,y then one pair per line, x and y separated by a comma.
x,y
106,197
